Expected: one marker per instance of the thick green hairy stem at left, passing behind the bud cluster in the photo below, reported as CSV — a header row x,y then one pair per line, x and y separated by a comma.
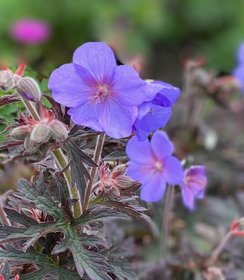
x,y
61,162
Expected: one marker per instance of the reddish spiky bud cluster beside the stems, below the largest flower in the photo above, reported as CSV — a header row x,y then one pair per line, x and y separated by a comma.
x,y
114,183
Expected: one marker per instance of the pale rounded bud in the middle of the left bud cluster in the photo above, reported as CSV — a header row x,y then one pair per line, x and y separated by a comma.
x,y
40,134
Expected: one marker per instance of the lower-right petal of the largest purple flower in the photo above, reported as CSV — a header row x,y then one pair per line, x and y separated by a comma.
x,y
116,119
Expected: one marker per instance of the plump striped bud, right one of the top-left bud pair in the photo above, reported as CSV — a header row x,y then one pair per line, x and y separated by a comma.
x,y
29,89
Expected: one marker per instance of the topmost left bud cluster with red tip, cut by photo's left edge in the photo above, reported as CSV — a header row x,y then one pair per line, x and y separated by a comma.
x,y
26,87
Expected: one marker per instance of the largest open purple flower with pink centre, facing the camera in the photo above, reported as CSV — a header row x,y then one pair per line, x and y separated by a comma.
x,y
100,94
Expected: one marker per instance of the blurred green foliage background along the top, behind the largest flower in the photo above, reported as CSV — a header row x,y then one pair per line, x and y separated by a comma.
x,y
162,33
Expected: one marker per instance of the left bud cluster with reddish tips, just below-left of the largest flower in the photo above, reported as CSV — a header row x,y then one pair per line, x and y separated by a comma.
x,y
34,133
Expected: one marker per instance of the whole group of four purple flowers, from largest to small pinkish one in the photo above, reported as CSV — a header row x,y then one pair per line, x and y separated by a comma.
x,y
115,100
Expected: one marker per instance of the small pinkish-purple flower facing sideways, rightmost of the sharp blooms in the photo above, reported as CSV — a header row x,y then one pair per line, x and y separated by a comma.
x,y
193,185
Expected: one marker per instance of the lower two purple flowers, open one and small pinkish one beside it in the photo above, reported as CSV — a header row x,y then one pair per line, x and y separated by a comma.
x,y
153,164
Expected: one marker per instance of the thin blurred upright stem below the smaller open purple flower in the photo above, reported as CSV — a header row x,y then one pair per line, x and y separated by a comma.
x,y
169,202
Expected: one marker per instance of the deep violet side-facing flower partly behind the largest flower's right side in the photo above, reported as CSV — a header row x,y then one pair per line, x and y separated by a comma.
x,y
156,113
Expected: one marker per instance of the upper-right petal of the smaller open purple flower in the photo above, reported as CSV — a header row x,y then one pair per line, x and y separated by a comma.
x,y
161,145
